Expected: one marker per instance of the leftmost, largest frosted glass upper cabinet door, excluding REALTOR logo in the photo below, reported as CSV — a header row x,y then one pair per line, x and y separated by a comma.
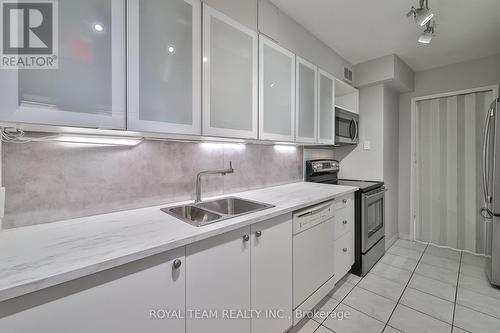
x,y
88,88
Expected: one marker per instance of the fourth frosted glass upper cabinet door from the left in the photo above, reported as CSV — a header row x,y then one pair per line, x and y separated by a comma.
x,y
276,92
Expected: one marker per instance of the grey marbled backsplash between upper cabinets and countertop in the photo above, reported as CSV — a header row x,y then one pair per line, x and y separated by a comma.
x,y
50,181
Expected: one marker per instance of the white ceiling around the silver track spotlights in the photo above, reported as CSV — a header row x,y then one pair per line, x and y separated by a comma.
x,y
360,30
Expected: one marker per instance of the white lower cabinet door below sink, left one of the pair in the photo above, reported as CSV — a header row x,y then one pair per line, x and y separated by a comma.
x,y
218,284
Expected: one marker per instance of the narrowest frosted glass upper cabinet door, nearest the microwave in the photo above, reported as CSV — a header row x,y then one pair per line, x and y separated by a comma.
x,y
326,112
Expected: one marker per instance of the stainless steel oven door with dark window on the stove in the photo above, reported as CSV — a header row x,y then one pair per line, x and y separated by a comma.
x,y
372,219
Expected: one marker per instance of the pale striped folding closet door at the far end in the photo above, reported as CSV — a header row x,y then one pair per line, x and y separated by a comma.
x,y
448,171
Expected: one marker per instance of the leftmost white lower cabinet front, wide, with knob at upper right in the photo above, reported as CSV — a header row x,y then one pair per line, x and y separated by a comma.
x,y
117,300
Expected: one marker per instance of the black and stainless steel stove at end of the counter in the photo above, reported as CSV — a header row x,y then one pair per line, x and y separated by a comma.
x,y
369,227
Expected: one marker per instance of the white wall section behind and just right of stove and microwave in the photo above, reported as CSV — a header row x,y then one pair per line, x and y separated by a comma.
x,y
379,124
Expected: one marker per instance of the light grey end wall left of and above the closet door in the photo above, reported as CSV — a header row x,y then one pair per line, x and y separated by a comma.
x,y
465,75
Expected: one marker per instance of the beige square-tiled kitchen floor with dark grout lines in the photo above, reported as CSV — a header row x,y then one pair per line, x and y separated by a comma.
x,y
414,288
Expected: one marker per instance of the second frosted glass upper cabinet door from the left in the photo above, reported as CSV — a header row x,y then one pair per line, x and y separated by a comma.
x,y
164,57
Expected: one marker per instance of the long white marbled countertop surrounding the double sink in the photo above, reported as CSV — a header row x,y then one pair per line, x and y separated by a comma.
x,y
37,257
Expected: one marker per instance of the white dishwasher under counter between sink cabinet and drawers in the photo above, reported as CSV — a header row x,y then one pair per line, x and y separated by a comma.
x,y
313,253
